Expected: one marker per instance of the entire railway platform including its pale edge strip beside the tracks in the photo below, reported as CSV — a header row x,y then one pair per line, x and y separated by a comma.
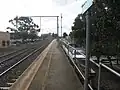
x,y
50,71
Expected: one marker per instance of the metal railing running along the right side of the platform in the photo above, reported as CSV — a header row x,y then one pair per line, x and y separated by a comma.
x,y
67,48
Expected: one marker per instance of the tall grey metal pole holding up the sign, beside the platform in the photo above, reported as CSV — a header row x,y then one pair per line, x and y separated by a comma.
x,y
87,51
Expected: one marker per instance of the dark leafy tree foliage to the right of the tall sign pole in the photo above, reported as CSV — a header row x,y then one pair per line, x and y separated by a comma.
x,y
105,36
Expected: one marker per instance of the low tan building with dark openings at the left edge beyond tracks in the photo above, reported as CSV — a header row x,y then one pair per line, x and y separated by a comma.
x,y
4,39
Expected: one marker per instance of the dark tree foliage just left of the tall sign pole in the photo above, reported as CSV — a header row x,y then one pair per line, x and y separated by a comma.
x,y
78,30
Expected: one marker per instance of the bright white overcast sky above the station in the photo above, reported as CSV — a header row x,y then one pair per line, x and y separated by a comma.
x,y
69,9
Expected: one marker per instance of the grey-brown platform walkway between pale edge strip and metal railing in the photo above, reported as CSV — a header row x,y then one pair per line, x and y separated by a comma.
x,y
55,72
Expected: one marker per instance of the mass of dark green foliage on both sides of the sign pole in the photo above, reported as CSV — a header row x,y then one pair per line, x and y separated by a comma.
x,y
105,28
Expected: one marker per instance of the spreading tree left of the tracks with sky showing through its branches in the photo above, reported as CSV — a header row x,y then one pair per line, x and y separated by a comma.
x,y
25,26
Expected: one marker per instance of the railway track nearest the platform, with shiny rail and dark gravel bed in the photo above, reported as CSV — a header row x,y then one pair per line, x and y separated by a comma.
x,y
12,67
